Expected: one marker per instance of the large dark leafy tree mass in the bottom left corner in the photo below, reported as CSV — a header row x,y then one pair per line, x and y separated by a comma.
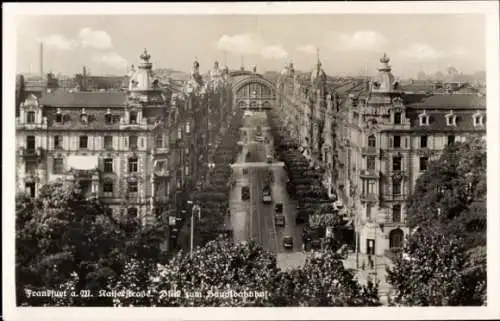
x,y
67,242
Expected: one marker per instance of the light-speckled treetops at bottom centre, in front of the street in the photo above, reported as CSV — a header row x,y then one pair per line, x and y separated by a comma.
x,y
223,266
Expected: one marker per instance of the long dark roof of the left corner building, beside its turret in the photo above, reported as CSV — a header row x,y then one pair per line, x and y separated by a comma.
x,y
62,98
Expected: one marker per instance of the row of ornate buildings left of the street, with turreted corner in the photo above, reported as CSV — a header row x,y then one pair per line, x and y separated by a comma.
x,y
136,150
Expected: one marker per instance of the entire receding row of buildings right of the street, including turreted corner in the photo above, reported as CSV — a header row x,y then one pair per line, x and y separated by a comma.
x,y
374,144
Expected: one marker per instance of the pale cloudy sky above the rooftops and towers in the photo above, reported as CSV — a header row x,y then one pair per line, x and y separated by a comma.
x,y
348,43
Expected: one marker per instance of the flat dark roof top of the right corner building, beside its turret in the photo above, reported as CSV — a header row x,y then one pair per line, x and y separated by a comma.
x,y
446,101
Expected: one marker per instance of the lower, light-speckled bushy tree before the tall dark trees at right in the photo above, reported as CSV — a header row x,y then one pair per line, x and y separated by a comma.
x,y
429,272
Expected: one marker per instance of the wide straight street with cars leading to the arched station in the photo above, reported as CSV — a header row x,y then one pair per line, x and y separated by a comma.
x,y
253,219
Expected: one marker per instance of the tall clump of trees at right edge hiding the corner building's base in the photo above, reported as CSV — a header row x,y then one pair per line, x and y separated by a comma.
x,y
449,199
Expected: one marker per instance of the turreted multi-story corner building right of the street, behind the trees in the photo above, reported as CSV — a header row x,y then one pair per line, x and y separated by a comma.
x,y
386,138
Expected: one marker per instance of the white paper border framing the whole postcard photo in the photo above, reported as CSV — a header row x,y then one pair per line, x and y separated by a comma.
x,y
488,8
